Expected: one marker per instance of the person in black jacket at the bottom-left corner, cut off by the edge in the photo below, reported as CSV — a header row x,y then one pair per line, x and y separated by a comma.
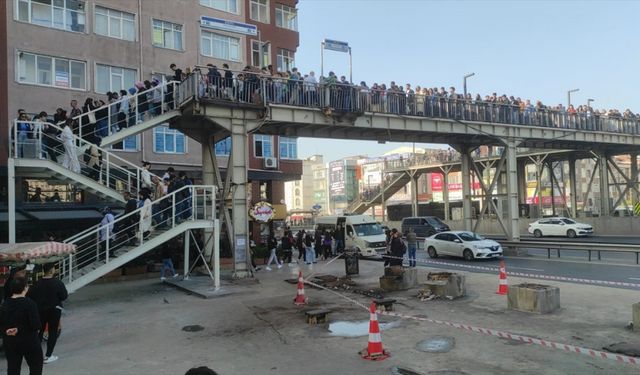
x,y
20,325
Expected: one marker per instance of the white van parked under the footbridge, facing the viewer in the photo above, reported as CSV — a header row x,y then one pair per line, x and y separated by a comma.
x,y
361,232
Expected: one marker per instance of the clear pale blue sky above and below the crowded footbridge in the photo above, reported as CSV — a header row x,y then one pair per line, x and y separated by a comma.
x,y
532,49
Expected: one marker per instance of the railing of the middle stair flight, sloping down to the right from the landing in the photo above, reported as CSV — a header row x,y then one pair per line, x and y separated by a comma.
x,y
43,142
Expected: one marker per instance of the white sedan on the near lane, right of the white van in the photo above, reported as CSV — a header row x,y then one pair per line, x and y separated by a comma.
x,y
468,245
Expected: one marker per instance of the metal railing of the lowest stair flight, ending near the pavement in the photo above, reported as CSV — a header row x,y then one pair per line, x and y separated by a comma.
x,y
125,236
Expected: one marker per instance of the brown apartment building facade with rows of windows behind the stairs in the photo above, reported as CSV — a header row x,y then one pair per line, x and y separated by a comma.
x,y
56,51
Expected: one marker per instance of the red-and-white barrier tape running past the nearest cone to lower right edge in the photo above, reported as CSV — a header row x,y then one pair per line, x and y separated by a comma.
x,y
597,354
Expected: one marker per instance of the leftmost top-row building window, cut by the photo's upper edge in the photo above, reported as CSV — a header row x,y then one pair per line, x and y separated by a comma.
x,y
58,14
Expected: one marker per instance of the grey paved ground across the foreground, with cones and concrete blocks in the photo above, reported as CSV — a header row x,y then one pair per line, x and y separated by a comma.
x,y
137,328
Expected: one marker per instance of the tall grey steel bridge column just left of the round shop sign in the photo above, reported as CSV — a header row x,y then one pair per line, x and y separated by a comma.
x,y
239,186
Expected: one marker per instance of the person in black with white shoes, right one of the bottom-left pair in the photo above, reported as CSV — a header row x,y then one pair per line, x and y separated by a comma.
x,y
49,293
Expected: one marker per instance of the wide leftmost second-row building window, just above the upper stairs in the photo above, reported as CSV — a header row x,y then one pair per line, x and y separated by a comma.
x,y
51,71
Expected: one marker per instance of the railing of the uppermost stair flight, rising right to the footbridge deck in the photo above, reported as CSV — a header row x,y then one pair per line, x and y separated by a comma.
x,y
110,118
